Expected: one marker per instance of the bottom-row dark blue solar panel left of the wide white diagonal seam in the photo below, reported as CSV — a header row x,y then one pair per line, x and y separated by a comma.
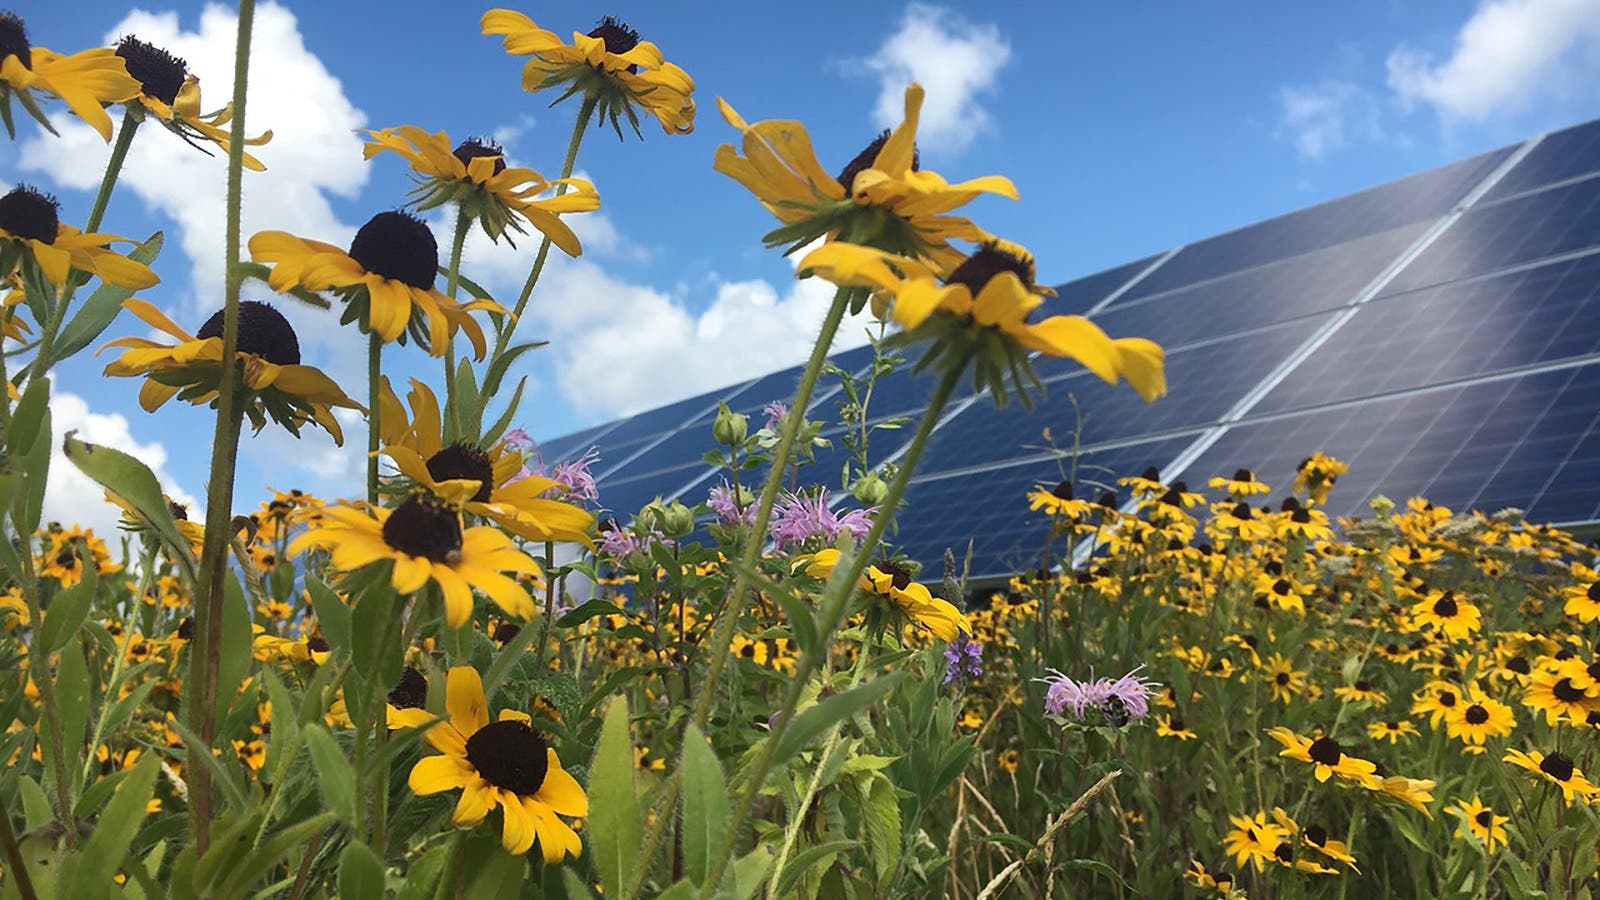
x,y
990,508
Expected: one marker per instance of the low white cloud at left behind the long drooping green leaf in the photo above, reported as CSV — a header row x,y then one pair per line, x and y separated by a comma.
x,y
71,497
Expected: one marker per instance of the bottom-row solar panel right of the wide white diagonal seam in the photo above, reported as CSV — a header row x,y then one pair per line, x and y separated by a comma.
x,y
1474,446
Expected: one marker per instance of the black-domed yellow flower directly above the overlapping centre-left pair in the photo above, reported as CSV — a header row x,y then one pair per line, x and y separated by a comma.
x,y
386,281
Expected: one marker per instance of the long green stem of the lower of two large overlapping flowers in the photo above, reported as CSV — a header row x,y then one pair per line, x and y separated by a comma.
x,y
834,605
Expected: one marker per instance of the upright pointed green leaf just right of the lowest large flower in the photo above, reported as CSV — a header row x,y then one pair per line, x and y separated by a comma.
x,y
617,826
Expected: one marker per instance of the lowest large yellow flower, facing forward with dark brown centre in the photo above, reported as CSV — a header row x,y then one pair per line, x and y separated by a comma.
x,y
503,765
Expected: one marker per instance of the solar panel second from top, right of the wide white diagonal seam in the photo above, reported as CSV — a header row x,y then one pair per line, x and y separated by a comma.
x,y
1508,233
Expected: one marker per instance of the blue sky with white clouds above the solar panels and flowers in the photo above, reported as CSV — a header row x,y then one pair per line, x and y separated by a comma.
x,y
1129,129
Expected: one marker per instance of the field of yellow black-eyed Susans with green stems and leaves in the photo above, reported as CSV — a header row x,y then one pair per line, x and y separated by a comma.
x,y
476,680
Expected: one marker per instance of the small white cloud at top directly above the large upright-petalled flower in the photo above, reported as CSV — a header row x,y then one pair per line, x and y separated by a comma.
x,y
954,60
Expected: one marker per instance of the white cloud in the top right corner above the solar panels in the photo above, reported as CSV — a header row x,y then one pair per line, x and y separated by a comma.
x,y
1506,57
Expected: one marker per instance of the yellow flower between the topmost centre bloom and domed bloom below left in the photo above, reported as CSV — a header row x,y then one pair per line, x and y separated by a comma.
x,y
474,175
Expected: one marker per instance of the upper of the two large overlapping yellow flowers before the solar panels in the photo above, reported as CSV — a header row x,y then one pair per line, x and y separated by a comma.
x,y
882,198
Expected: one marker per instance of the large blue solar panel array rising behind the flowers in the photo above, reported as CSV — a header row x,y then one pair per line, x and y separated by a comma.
x,y
1441,334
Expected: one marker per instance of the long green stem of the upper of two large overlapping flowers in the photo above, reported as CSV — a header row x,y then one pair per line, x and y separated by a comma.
x,y
727,621
